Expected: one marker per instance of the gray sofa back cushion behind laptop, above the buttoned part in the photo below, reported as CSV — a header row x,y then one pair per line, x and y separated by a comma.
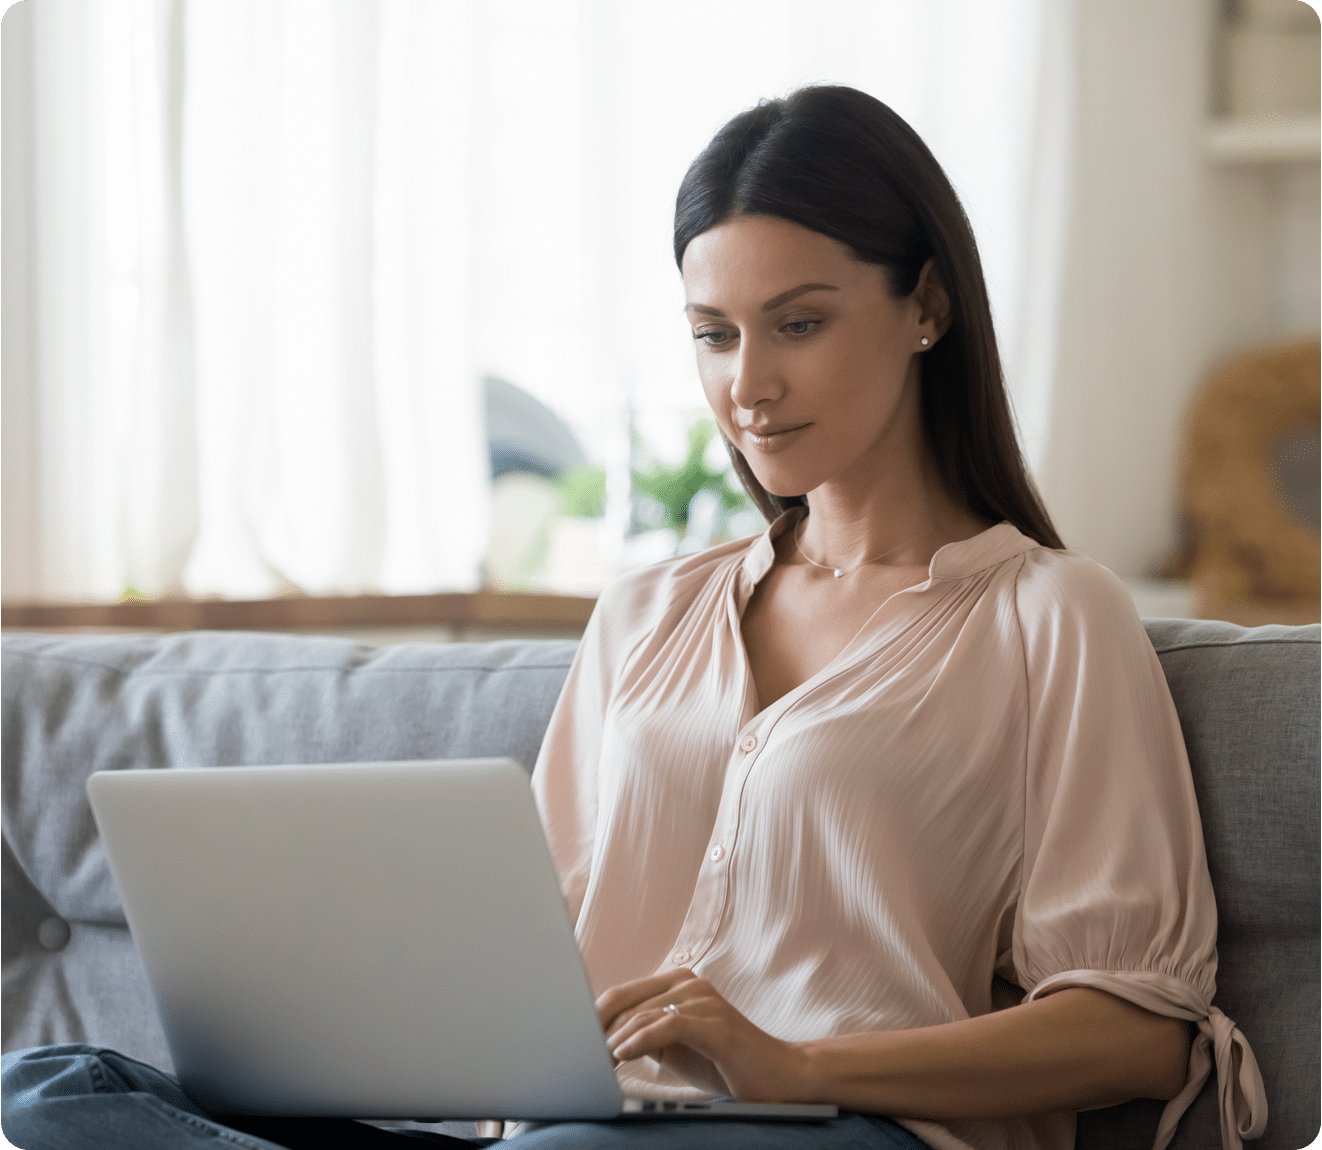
x,y
232,699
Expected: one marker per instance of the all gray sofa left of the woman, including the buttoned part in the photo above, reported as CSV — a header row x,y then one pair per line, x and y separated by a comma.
x,y
76,705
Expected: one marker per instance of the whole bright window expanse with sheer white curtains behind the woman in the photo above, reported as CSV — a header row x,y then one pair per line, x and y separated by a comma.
x,y
262,252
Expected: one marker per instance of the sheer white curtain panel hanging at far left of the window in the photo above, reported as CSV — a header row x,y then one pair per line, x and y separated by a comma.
x,y
251,364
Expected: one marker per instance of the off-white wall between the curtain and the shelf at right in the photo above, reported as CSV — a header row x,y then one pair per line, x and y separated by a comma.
x,y
1175,262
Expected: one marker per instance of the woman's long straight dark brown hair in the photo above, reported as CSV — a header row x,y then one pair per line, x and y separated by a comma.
x,y
841,163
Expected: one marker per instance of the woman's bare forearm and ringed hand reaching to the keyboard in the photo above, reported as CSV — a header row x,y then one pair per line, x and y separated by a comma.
x,y
1074,1050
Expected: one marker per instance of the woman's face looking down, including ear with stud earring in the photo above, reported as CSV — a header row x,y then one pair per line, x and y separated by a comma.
x,y
808,362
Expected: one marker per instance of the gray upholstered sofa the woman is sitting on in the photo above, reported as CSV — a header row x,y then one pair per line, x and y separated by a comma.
x,y
1247,699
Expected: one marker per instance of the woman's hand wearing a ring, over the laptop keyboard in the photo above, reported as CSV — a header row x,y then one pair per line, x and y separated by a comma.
x,y
756,1066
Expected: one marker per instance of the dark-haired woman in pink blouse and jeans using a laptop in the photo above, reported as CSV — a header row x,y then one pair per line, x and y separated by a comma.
x,y
889,807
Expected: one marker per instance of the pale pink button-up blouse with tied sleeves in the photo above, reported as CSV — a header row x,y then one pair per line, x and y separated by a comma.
x,y
990,779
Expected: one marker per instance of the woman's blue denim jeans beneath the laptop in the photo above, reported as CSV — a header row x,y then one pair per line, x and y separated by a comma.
x,y
83,1098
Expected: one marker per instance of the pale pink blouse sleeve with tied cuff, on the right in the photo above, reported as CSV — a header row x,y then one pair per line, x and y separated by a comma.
x,y
1115,892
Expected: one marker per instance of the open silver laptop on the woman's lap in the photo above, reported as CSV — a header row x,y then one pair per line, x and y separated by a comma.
x,y
381,940
